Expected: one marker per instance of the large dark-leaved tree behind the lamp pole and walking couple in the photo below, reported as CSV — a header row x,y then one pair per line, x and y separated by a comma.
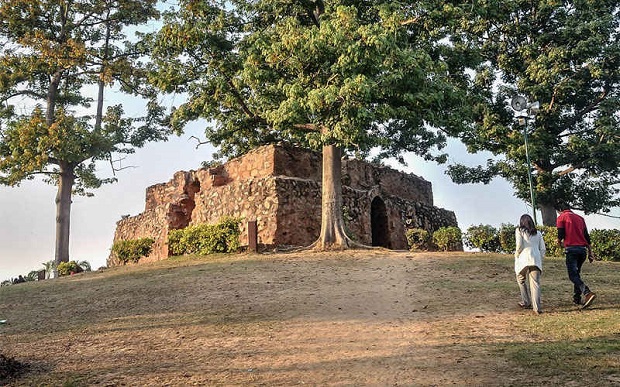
x,y
566,55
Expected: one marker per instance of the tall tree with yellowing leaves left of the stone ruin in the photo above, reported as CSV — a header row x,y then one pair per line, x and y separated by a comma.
x,y
52,54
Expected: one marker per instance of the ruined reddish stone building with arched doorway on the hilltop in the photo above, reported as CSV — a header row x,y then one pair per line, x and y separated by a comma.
x,y
279,187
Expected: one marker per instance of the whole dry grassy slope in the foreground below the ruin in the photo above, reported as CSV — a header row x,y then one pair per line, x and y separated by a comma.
x,y
347,318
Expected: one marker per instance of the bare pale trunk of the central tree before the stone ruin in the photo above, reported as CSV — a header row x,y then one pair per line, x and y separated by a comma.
x,y
333,236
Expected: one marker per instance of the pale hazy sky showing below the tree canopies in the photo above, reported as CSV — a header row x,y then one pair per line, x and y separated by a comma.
x,y
27,229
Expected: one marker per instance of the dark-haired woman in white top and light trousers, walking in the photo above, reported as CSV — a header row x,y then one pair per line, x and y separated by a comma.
x,y
529,254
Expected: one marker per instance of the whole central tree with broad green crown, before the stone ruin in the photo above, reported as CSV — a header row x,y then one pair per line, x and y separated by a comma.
x,y
341,76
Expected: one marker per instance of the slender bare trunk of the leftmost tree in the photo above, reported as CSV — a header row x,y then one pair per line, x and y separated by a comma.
x,y
63,212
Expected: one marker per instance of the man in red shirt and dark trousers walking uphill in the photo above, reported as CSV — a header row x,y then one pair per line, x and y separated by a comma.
x,y
574,238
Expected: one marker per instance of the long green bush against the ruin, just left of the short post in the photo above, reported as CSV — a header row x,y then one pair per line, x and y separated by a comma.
x,y
204,239
